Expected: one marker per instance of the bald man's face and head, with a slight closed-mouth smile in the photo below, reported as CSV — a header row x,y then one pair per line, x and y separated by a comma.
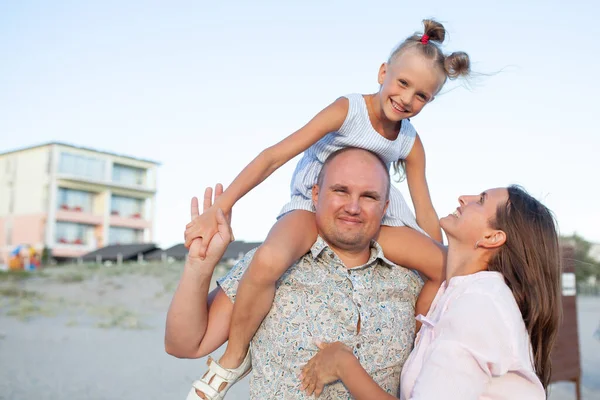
x,y
352,200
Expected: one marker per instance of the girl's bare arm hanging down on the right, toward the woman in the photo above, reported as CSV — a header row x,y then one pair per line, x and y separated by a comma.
x,y
427,218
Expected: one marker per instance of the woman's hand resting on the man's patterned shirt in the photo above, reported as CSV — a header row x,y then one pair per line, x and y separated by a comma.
x,y
324,367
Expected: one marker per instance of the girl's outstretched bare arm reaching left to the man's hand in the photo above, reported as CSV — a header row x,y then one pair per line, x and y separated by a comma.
x,y
268,161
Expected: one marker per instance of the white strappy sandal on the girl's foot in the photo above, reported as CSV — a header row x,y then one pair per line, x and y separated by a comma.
x,y
210,383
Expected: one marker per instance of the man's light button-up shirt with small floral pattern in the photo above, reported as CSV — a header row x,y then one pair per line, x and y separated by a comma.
x,y
319,298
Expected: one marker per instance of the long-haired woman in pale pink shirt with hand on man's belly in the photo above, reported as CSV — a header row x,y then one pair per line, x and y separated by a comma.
x,y
490,329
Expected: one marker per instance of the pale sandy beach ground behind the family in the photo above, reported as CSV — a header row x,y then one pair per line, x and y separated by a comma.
x,y
95,332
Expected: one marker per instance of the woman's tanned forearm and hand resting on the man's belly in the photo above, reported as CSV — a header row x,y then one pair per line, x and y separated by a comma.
x,y
333,362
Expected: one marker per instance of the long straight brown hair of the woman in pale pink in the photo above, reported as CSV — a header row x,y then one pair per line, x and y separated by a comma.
x,y
530,262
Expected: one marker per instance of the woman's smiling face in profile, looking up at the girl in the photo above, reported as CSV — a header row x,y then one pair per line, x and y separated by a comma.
x,y
470,222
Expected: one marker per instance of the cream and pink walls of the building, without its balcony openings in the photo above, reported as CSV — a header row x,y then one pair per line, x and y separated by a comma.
x,y
30,181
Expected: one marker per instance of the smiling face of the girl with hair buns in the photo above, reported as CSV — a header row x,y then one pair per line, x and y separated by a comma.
x,y
408,82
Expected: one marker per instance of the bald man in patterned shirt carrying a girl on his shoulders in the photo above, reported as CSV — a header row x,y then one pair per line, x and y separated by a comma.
x,y
342,290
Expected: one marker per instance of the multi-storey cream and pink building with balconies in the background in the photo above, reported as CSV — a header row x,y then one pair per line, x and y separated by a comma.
x,y
73,200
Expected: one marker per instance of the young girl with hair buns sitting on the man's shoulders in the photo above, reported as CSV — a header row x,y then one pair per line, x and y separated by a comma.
x,y
414,73
